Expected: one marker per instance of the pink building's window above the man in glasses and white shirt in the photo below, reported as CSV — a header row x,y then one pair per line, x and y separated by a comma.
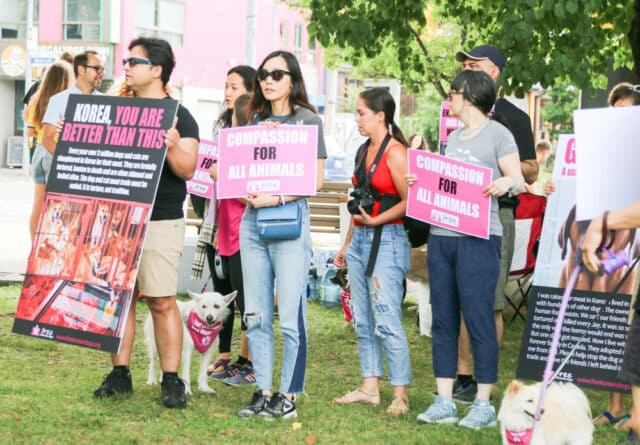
x,y
82,20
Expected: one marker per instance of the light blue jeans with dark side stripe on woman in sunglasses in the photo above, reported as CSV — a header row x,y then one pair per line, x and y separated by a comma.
x,y
268,266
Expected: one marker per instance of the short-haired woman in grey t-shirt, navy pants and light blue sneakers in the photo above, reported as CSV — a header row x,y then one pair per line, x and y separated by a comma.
x,y
463,270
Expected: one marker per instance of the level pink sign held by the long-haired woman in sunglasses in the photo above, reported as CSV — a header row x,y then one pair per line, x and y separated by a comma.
x,y
259,159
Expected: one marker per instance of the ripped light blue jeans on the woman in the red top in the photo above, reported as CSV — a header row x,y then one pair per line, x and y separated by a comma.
x,y
376,302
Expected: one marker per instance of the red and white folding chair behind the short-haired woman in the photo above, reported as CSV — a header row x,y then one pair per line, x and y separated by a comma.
x,y
528,220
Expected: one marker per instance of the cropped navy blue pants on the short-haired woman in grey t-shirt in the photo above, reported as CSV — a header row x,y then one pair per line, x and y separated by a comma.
x,y
463,272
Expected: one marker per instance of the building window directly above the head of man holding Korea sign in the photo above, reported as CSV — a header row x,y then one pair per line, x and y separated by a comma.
x,y
161,18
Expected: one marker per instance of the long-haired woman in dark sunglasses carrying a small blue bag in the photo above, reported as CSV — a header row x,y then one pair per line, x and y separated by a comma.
x,y
280,98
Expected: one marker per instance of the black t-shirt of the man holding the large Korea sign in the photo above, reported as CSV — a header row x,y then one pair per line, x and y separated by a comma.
x,y
172,190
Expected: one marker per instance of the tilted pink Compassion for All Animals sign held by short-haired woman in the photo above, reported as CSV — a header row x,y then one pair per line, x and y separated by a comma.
x,y
448,193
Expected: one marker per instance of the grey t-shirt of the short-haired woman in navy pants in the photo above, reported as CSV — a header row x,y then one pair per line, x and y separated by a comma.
x,y
485,148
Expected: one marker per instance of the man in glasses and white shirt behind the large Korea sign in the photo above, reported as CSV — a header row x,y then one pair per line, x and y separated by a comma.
x,y
89,71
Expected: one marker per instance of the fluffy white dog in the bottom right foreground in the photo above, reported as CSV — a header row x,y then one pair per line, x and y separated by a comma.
x,y
566,416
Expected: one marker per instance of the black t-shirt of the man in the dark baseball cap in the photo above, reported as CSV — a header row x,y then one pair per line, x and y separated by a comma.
x,y
519,124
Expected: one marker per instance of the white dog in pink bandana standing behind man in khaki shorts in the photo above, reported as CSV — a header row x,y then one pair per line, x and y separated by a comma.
x,y
202,319
